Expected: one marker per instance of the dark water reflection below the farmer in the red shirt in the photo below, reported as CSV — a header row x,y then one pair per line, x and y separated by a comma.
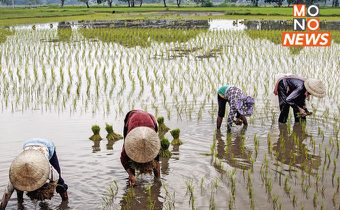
x,y
142,197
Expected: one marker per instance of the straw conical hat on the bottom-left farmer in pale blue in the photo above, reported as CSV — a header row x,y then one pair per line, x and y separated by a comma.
x,y
29,170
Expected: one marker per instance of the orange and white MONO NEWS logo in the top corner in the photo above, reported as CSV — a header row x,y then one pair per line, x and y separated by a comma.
x,y
306,25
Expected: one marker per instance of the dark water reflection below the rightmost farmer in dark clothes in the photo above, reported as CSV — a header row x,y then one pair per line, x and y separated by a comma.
x,y
290,149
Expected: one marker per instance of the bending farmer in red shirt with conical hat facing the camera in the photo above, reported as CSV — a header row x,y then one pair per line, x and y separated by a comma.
x,y
141,144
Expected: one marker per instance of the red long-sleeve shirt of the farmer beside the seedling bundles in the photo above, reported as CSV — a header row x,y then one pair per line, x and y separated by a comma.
x,y
133,119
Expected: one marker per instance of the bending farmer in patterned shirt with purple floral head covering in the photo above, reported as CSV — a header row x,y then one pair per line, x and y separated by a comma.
x,y
240,106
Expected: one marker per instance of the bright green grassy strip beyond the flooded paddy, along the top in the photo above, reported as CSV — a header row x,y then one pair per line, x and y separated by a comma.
x,y
10,16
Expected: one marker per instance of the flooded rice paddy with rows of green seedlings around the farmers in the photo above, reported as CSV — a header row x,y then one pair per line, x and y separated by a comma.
x,y
57,83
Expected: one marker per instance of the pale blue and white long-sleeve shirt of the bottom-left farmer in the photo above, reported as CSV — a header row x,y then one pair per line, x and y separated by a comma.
x,y
47,148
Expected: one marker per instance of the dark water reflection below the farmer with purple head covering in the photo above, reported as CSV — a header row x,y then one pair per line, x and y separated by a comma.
x,y
234,151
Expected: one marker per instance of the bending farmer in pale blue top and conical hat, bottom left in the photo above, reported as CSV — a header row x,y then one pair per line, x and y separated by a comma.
x,y
35,170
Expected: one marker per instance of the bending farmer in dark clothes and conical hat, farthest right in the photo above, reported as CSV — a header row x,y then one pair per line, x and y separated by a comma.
x,y
293,91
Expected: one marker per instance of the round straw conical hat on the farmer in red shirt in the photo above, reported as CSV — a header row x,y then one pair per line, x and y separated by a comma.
x,y
142,144
